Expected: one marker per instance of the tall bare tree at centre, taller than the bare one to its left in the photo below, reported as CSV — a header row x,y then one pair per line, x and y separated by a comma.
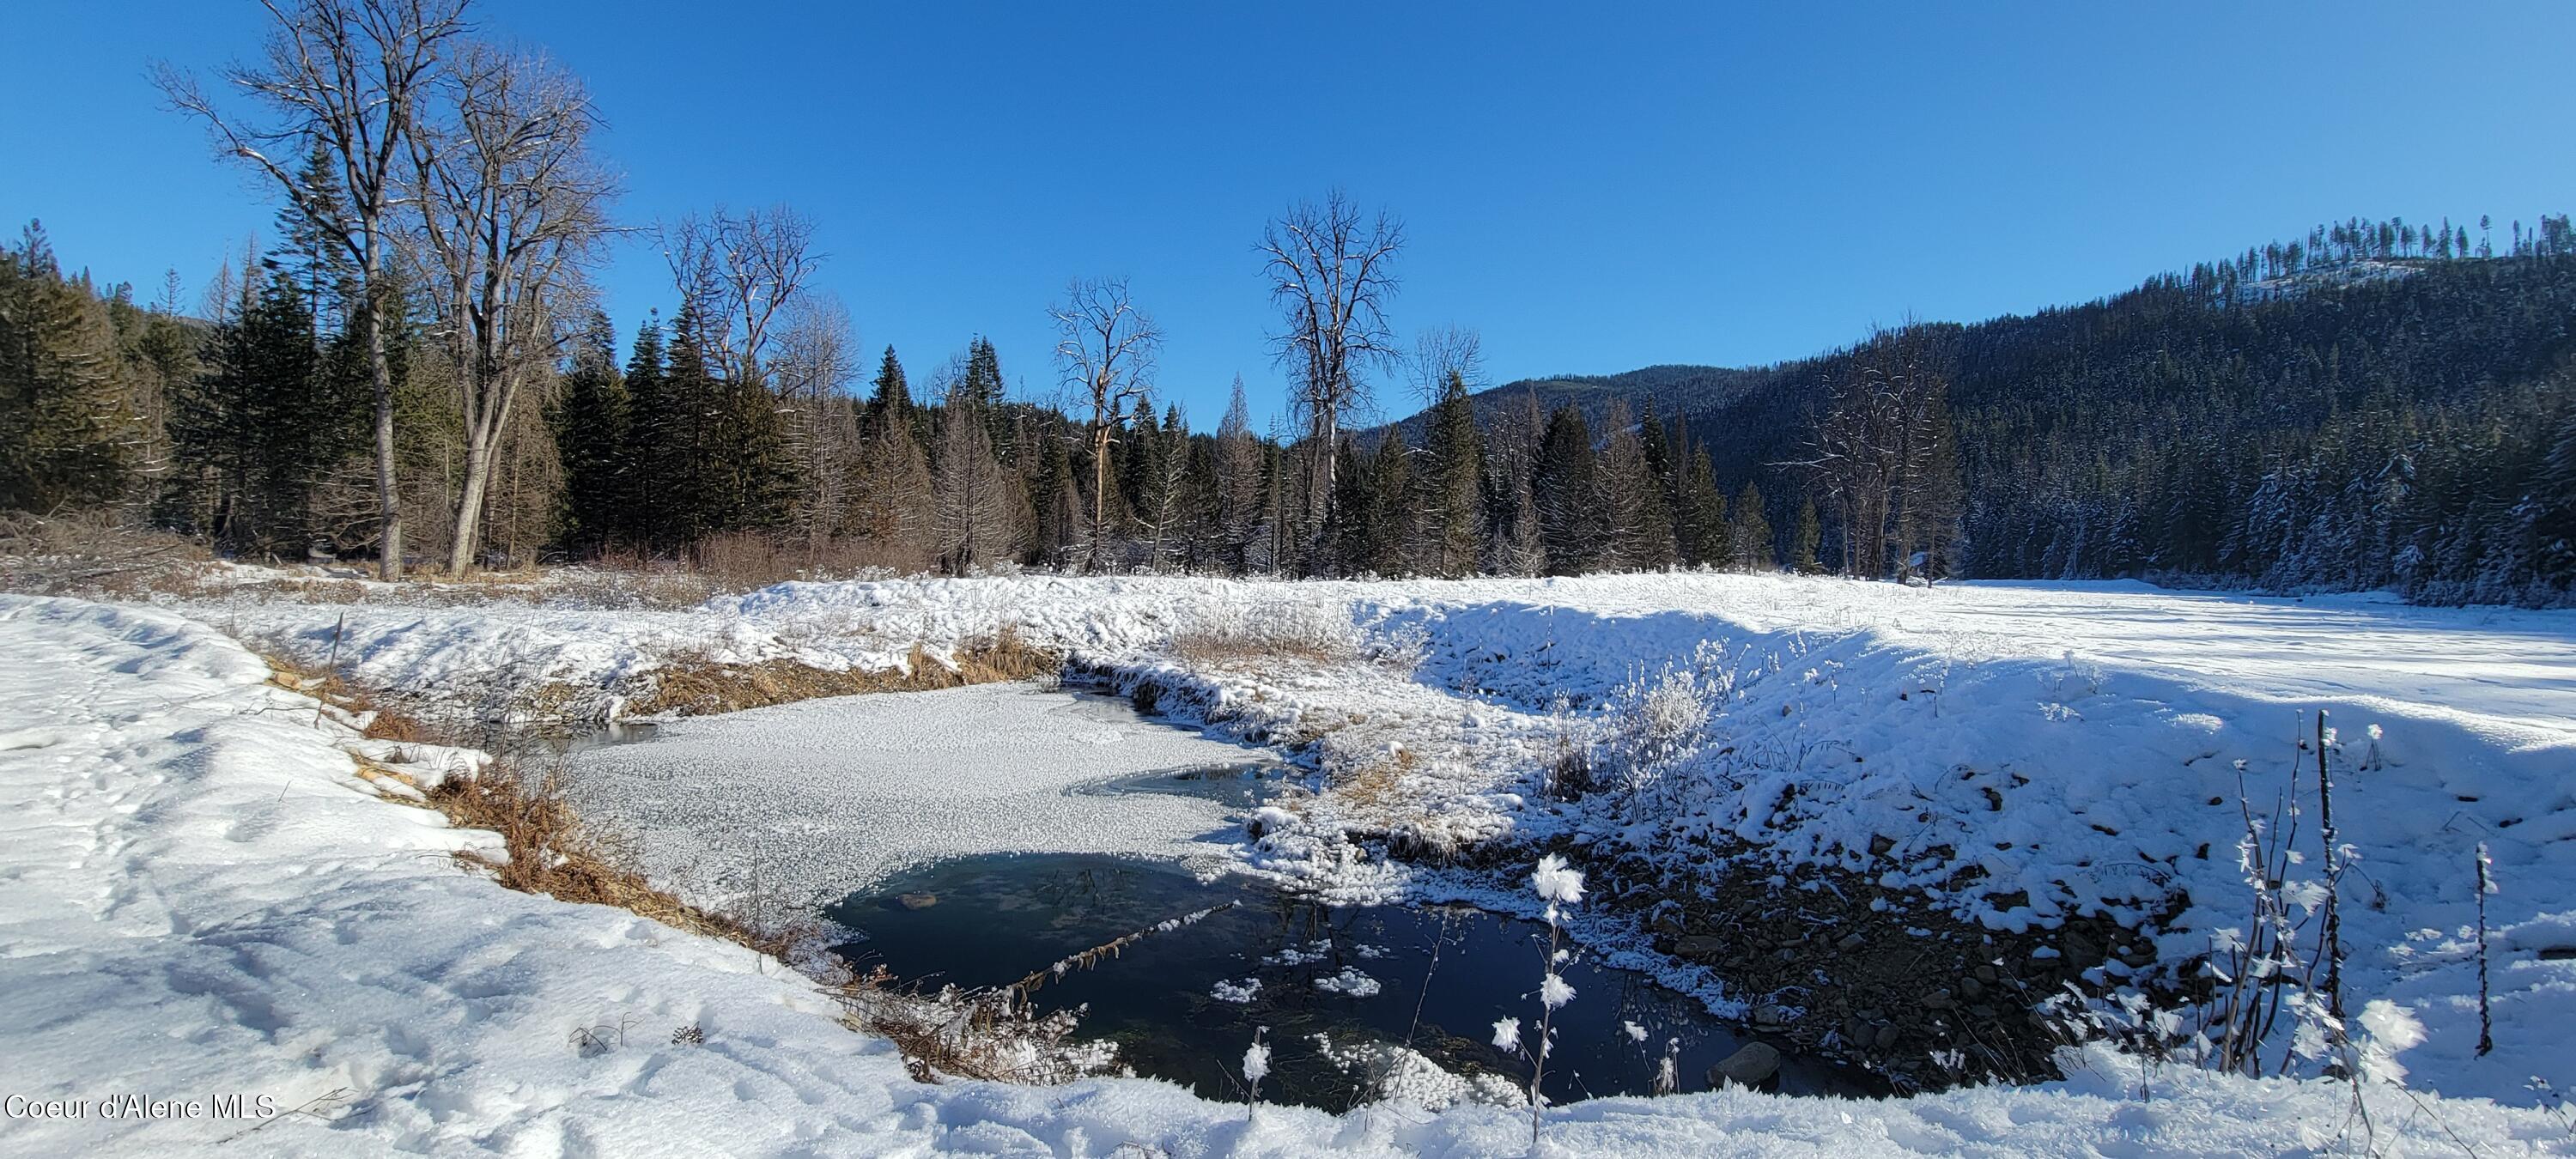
x,y
1331,274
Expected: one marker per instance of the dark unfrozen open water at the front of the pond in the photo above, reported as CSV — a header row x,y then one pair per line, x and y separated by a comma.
x,y
1186,1003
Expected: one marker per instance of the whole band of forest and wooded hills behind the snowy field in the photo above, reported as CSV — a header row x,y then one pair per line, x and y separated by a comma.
x,y
2369,408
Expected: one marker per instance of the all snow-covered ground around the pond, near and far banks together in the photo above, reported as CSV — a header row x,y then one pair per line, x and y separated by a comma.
x,y
2065,740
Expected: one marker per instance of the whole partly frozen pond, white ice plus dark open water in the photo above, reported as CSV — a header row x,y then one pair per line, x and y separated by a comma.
x,y
983,833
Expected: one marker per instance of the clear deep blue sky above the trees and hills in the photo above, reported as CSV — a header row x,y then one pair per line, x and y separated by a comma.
x,y
1593,187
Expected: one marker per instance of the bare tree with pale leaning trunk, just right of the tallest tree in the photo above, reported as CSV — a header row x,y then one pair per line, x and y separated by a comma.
x,y
511,207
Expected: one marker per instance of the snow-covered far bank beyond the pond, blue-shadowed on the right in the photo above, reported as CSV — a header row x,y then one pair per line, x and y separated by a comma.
x,y
2013,753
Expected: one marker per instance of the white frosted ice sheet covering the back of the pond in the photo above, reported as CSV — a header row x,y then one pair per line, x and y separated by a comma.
x,y
831,797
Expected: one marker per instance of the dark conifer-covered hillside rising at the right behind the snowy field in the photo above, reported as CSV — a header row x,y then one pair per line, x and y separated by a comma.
x,y
2369,408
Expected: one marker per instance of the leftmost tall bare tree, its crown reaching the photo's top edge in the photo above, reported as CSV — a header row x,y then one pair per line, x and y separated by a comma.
x,y
349,76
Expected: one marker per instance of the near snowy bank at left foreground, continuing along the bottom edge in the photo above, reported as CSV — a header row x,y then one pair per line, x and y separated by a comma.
x,y
205,900
